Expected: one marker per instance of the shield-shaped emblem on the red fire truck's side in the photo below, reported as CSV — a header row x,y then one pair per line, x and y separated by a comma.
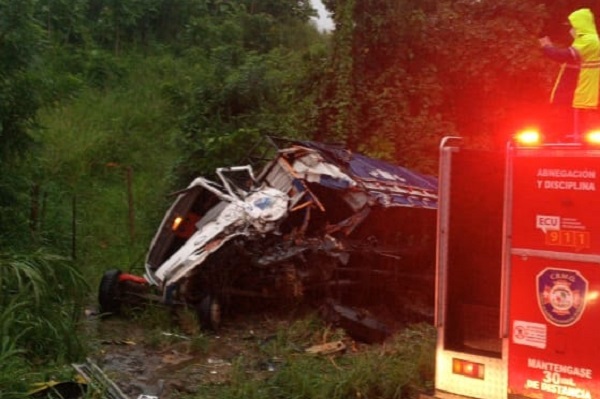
x,y
561,295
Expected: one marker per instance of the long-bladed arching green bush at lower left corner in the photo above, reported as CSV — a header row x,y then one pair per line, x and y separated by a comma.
x,y
40,301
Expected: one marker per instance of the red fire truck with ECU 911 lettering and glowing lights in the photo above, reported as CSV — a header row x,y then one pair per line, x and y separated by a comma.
x,y
518,270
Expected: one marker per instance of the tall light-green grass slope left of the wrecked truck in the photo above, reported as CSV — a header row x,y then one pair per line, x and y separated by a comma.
x,y
114,152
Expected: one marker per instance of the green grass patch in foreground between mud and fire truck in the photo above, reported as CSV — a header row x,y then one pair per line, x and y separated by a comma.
x,y
399,368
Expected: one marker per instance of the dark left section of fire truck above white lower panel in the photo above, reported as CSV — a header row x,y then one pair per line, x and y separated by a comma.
x,y
471,352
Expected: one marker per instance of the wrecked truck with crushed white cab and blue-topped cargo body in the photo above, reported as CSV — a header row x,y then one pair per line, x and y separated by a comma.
x,y
318,224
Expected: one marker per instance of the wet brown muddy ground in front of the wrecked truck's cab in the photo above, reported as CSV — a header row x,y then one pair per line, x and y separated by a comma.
x,y
146,356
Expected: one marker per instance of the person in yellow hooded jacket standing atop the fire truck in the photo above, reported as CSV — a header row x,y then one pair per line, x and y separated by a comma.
x,y
578,83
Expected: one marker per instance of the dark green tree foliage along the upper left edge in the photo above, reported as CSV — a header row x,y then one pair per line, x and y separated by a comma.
x,y
21,45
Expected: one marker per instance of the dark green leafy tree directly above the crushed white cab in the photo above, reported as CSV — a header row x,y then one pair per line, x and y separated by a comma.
x,y
253,64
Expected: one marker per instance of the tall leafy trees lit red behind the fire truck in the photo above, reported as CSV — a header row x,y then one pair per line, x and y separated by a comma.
x,y
408,72
